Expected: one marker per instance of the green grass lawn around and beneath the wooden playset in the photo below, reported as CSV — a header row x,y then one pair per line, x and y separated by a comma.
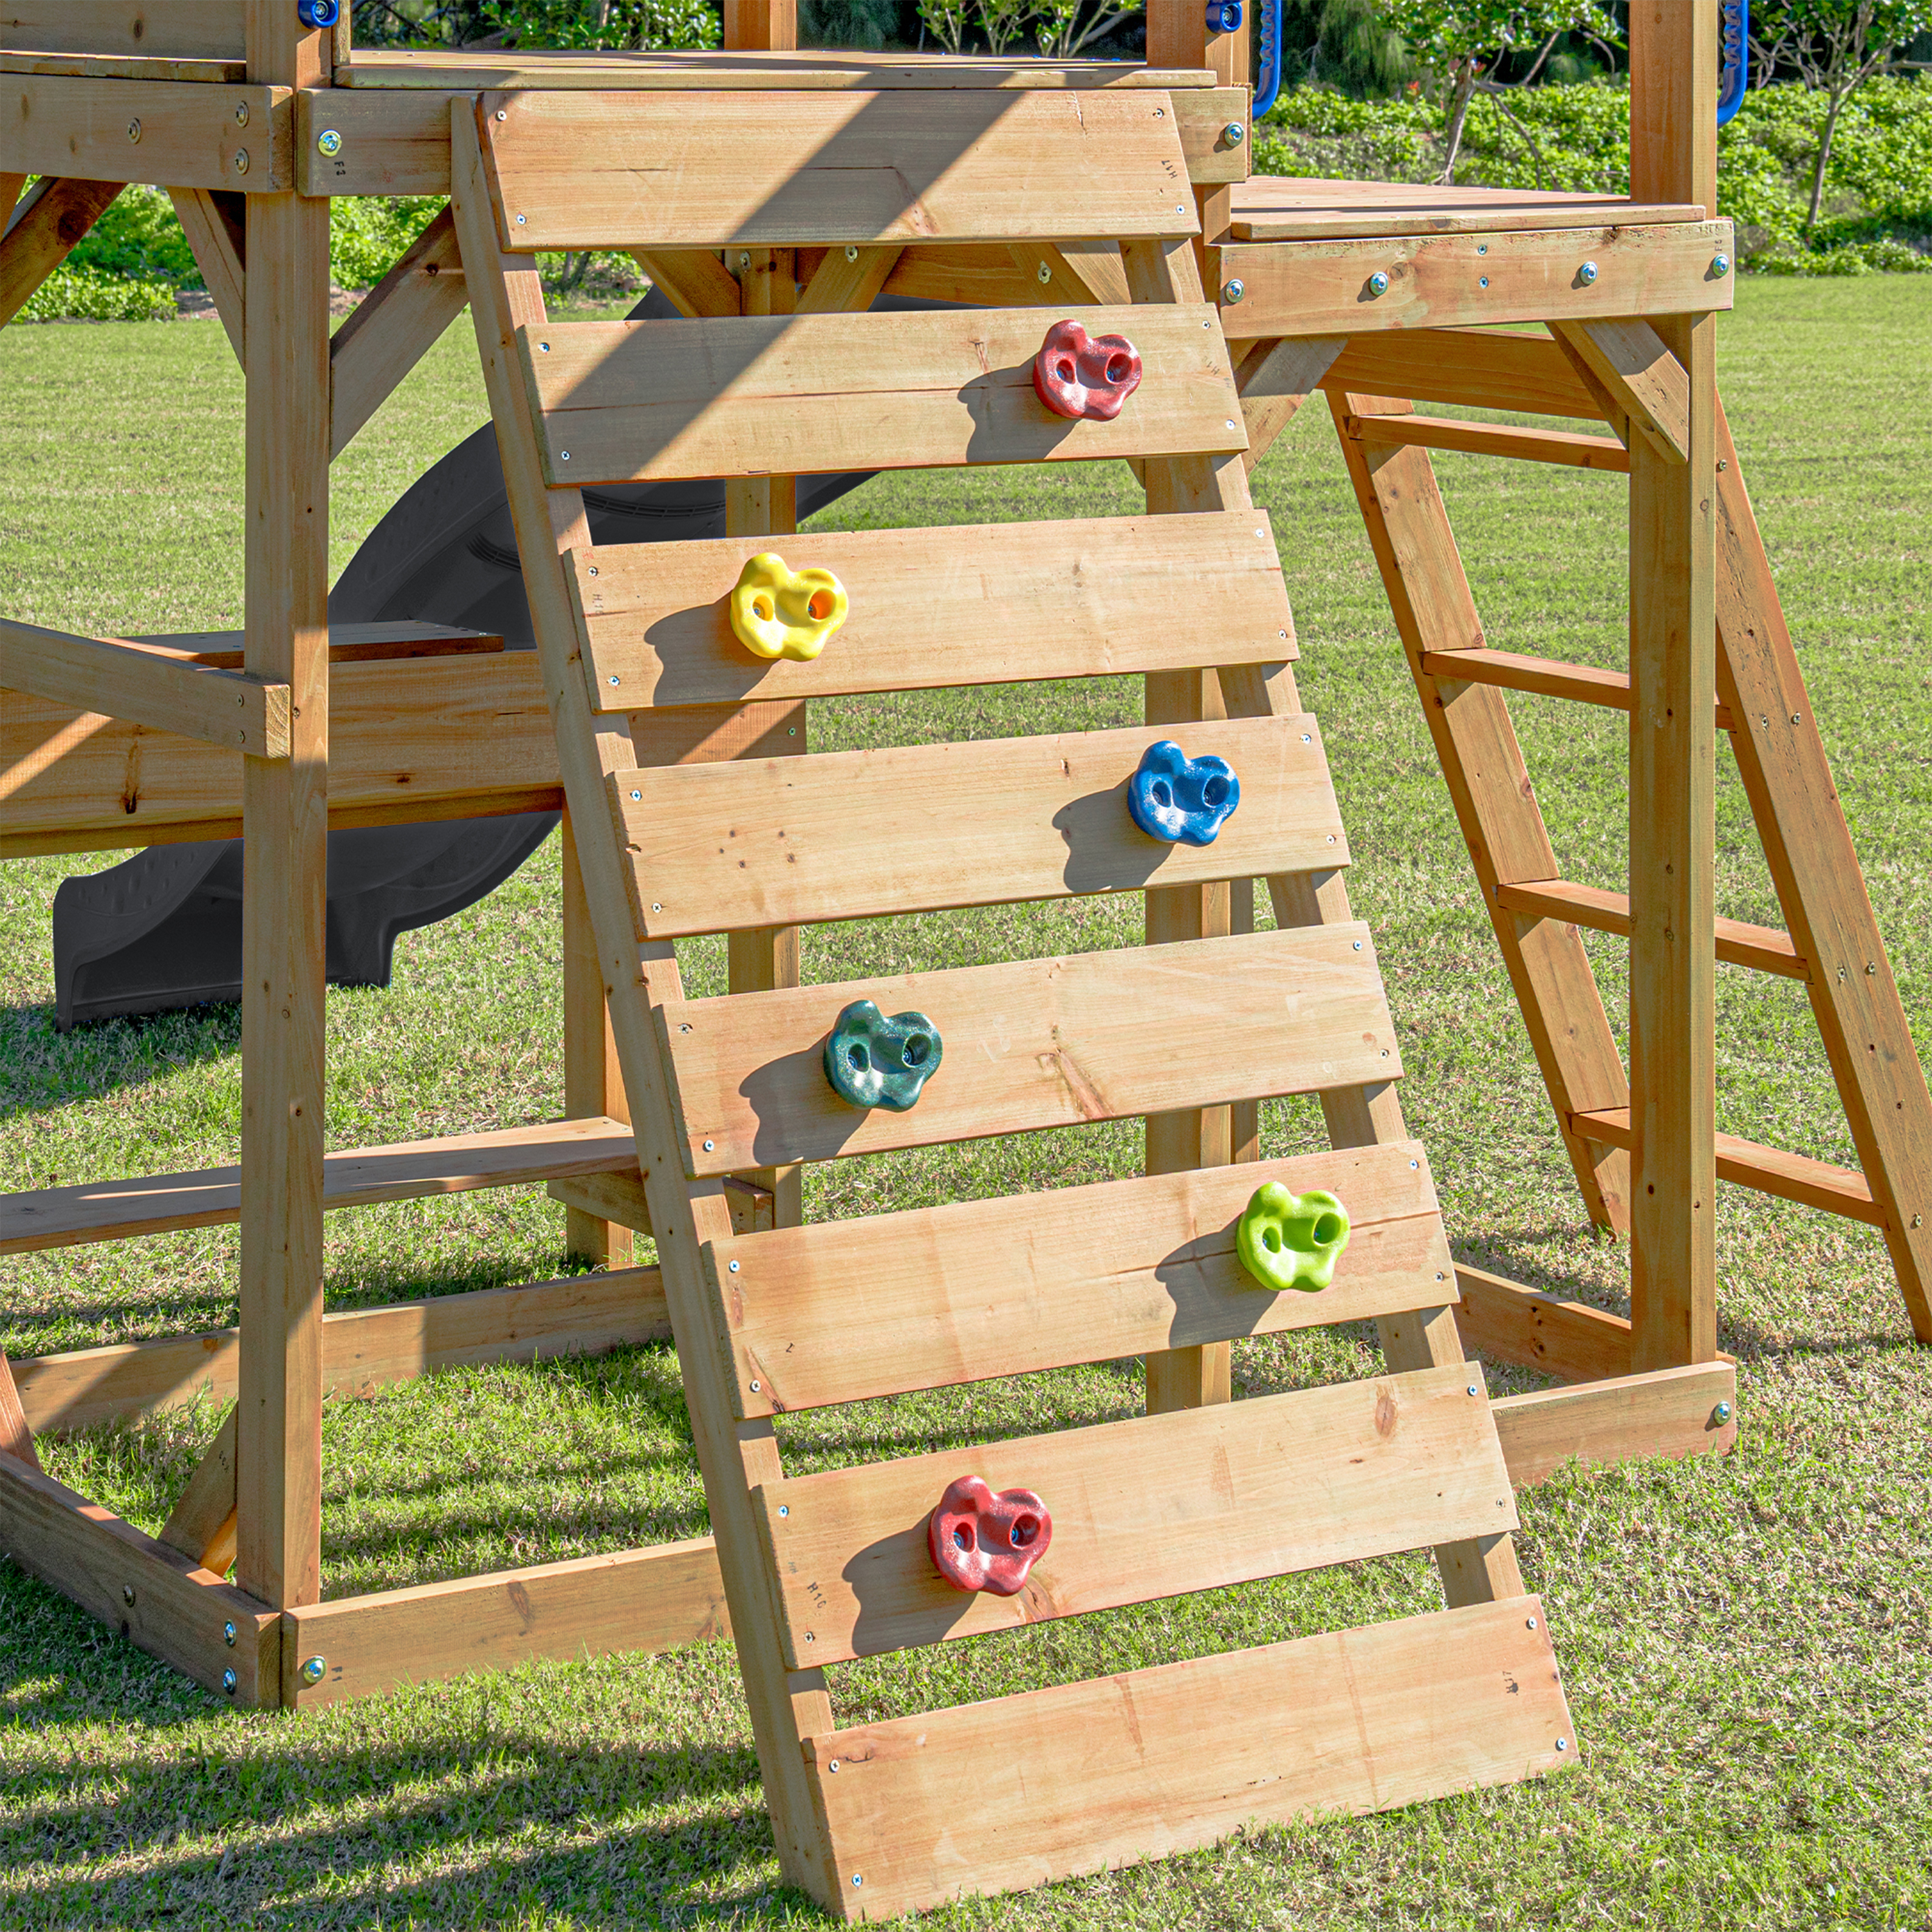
x,y
1747,1643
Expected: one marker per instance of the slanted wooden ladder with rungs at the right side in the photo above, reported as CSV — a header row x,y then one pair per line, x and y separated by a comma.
x,y
1831,938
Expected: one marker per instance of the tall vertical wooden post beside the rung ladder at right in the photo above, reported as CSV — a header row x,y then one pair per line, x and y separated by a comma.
x,y
1674,677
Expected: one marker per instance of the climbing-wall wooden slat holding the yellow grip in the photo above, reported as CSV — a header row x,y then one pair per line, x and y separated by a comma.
x,y
990,604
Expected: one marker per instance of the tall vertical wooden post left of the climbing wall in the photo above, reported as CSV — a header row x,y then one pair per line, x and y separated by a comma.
x,y
285,820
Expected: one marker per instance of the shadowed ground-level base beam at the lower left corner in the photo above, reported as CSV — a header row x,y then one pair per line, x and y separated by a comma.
x,y
156,1597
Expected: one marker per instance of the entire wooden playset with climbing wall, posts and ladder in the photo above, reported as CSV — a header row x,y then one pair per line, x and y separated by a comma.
x,y
1129,295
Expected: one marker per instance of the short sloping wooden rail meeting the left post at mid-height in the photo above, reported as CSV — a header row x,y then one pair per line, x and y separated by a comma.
x,y
152,687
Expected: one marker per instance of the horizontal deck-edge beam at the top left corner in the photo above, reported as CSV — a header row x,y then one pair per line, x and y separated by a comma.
x,y
190,136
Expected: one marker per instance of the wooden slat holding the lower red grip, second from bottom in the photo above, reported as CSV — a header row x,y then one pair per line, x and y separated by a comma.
x,y
1143,1510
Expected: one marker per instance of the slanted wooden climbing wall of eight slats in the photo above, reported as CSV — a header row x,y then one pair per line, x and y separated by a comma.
x,y
677,836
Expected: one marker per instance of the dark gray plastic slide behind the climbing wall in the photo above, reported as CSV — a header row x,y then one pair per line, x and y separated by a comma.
x,y
165,928
